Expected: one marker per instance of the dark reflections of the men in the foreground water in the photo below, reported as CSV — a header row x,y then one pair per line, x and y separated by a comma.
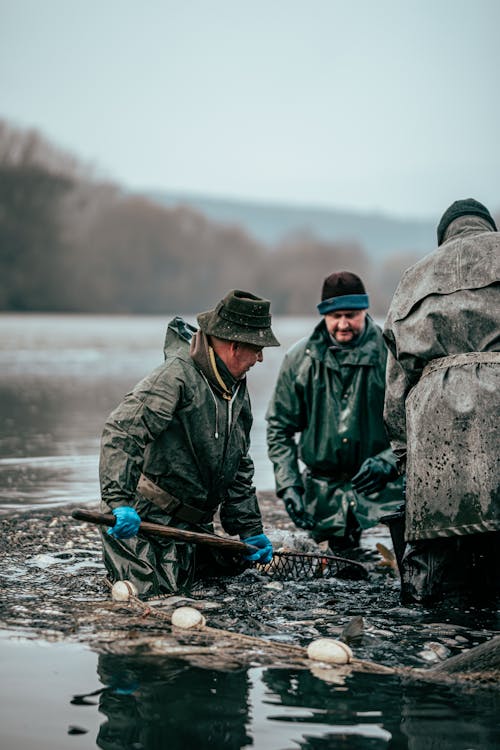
x,y
152,703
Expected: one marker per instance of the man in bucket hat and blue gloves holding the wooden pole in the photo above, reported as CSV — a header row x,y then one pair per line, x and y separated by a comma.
x,y
176,450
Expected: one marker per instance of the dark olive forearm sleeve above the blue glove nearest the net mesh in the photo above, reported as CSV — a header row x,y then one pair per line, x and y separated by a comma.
x,y
239,511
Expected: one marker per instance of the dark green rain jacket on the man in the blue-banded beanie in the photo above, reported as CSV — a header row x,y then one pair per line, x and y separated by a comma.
x,y
333,398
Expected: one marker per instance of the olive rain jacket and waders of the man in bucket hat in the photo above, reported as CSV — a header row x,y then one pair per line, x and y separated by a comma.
x,y
190,441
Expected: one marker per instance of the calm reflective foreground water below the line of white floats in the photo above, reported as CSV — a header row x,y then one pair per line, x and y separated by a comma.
x,y
59,696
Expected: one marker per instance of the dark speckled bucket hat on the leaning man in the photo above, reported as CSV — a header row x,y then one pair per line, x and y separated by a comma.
x,y
240,316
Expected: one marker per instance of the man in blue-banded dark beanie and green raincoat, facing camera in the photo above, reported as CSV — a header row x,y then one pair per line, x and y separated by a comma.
x,y
330,391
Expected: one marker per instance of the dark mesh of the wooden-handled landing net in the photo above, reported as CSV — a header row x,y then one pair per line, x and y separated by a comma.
x,y
299,565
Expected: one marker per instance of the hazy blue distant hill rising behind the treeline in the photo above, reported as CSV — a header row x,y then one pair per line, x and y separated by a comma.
x,y
379,235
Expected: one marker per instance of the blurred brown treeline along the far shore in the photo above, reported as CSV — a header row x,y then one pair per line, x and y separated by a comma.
x,y
74,242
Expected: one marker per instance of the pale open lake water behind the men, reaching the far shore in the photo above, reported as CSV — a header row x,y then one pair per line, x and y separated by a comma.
x,y
61,375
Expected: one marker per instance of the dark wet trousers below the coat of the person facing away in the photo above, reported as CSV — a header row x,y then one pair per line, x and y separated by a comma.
x,y
460,567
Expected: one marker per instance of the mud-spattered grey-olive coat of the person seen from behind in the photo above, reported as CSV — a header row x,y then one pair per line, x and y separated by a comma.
x,y
443,383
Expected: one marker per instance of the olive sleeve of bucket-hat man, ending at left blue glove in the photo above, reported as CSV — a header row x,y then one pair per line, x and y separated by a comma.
x,y
140,418
